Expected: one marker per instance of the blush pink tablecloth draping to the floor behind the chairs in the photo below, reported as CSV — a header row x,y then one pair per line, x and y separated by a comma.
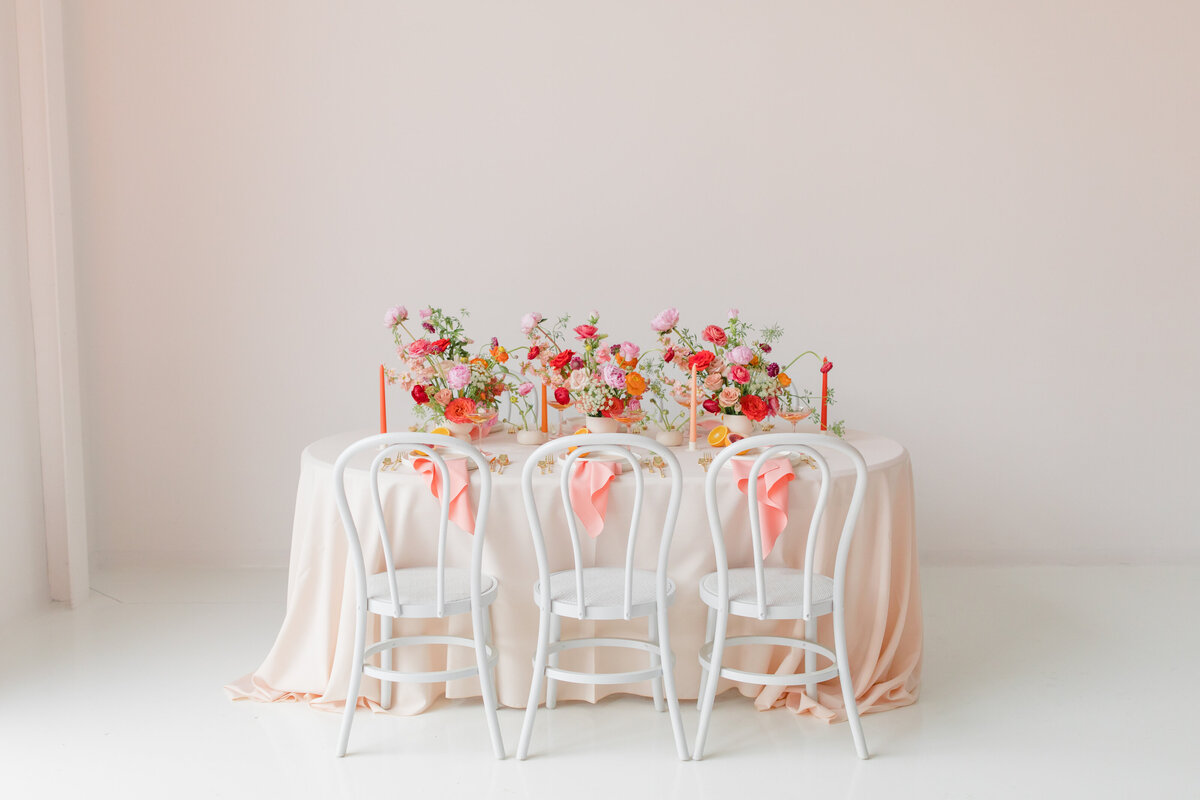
x,y
311,657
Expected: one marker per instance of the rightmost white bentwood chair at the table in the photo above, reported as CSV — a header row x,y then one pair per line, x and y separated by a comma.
x,y
776,593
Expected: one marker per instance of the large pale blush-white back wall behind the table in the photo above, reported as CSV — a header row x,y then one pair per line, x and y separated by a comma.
x,y
985,213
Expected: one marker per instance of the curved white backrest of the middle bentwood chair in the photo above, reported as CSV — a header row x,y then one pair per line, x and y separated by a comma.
x,y
615,444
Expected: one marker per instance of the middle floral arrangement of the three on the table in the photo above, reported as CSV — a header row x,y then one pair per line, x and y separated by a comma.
x,y
599,380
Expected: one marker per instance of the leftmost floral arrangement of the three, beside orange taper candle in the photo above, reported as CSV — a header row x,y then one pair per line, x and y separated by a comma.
x,y
440,372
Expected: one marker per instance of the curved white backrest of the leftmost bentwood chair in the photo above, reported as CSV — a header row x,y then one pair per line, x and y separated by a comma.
x,y
393,446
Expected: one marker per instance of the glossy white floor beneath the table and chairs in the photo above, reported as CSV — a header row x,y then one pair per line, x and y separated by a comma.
x,y
1040,683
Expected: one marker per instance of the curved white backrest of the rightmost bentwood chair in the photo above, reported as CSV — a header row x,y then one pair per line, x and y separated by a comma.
x,y
773,447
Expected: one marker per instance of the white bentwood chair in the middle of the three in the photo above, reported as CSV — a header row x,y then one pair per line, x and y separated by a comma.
x,y
598,593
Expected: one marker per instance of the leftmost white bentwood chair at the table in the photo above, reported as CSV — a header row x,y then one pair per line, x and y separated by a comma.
x,y
419,593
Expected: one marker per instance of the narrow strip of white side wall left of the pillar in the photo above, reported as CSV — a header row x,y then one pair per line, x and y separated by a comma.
x,y
23,582
